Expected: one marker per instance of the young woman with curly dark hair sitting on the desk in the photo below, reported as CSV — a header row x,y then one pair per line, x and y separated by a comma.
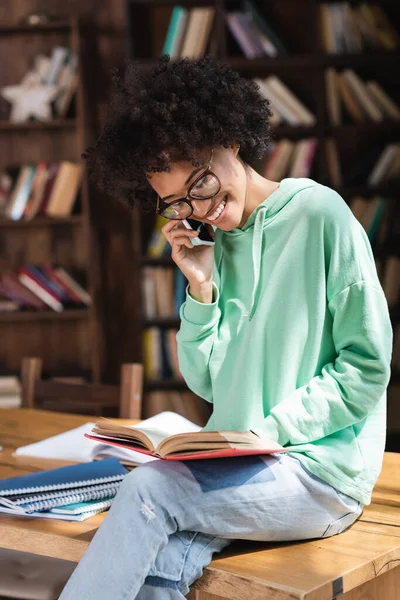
x,y
285,330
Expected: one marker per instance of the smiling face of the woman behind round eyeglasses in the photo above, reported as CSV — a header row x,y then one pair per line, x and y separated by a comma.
x,y
226,210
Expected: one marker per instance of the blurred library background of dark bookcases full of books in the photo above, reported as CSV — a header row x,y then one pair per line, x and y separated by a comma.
x,y
87,285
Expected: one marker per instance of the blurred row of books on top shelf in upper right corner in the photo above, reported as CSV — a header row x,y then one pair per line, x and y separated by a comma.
x,y
350,28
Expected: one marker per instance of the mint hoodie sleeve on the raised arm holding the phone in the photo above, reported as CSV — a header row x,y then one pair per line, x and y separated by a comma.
x,y
199,324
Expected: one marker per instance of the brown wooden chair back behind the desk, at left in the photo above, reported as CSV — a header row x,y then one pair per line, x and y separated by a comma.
x,y
83,397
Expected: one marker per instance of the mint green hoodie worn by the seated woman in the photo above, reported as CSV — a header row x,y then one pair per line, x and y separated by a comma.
x,y
296,345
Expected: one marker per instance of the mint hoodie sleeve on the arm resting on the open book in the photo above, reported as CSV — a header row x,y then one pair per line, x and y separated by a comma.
x,y
350,386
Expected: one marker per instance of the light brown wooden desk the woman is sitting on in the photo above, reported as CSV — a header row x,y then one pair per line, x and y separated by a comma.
x,y
362,562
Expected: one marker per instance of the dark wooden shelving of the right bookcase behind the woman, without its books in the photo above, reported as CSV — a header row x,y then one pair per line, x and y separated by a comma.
x,y
298,25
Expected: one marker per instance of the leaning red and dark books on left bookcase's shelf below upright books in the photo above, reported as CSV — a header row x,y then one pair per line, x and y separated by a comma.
x,y
41,288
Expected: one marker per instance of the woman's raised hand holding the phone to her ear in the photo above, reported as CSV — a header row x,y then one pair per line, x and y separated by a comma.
x,y
195,262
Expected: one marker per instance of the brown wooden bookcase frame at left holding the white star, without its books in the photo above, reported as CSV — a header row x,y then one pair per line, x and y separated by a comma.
x,y
69,342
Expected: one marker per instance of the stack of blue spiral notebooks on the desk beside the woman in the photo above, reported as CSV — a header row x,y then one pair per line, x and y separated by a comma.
x,y
71,493
